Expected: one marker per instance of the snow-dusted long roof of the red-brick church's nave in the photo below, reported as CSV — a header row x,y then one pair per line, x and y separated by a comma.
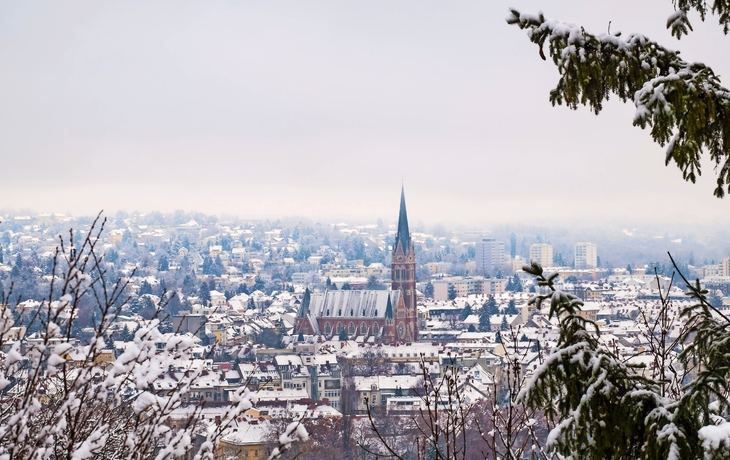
x,y
356,304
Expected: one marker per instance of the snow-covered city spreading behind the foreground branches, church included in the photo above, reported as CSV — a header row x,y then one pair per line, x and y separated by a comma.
x,y
326,324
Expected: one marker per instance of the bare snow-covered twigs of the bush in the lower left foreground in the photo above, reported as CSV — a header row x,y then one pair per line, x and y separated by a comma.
x,y
55,409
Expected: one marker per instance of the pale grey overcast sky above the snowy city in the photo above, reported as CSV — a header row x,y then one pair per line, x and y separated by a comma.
x,y
321,109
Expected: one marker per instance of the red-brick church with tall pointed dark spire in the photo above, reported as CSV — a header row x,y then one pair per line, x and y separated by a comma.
x,y
376,316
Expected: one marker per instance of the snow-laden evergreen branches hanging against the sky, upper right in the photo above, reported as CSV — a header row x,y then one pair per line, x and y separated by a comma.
x,y
684,104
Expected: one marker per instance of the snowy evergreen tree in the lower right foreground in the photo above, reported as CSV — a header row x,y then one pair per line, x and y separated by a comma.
x,y
593,397
